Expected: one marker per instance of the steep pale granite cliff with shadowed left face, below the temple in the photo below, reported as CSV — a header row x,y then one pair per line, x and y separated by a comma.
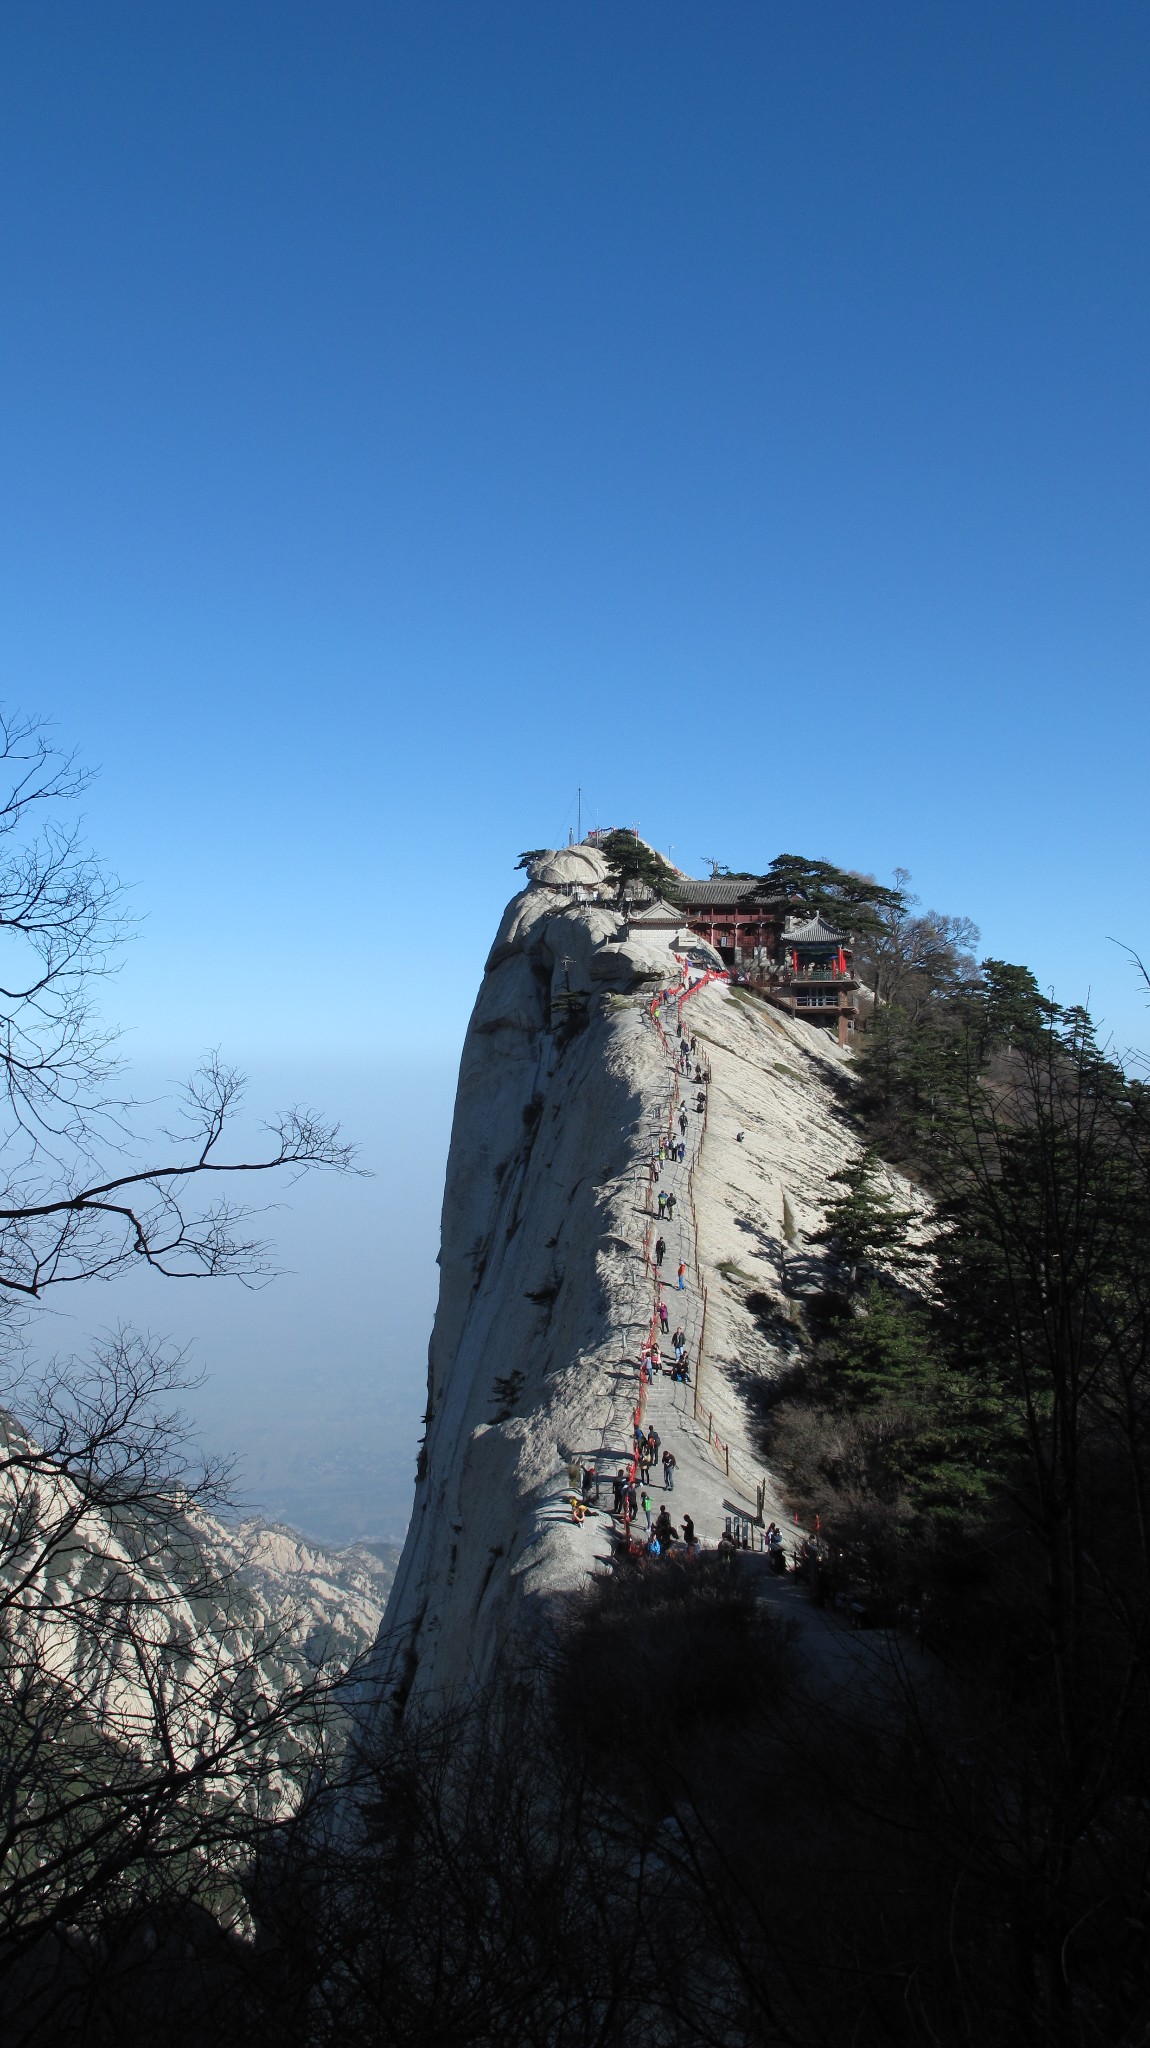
x,y
545,1295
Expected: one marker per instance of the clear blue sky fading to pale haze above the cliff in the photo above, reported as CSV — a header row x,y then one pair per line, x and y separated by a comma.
x,y
414,413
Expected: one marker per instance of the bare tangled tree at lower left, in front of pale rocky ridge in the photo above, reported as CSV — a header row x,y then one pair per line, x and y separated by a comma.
x,y
154,1723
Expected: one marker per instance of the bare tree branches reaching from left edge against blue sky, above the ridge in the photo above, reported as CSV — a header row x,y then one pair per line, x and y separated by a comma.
x,y
75,1199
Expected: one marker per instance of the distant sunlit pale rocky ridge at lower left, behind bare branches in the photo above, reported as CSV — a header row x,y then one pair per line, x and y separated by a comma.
x,y
183,1609
